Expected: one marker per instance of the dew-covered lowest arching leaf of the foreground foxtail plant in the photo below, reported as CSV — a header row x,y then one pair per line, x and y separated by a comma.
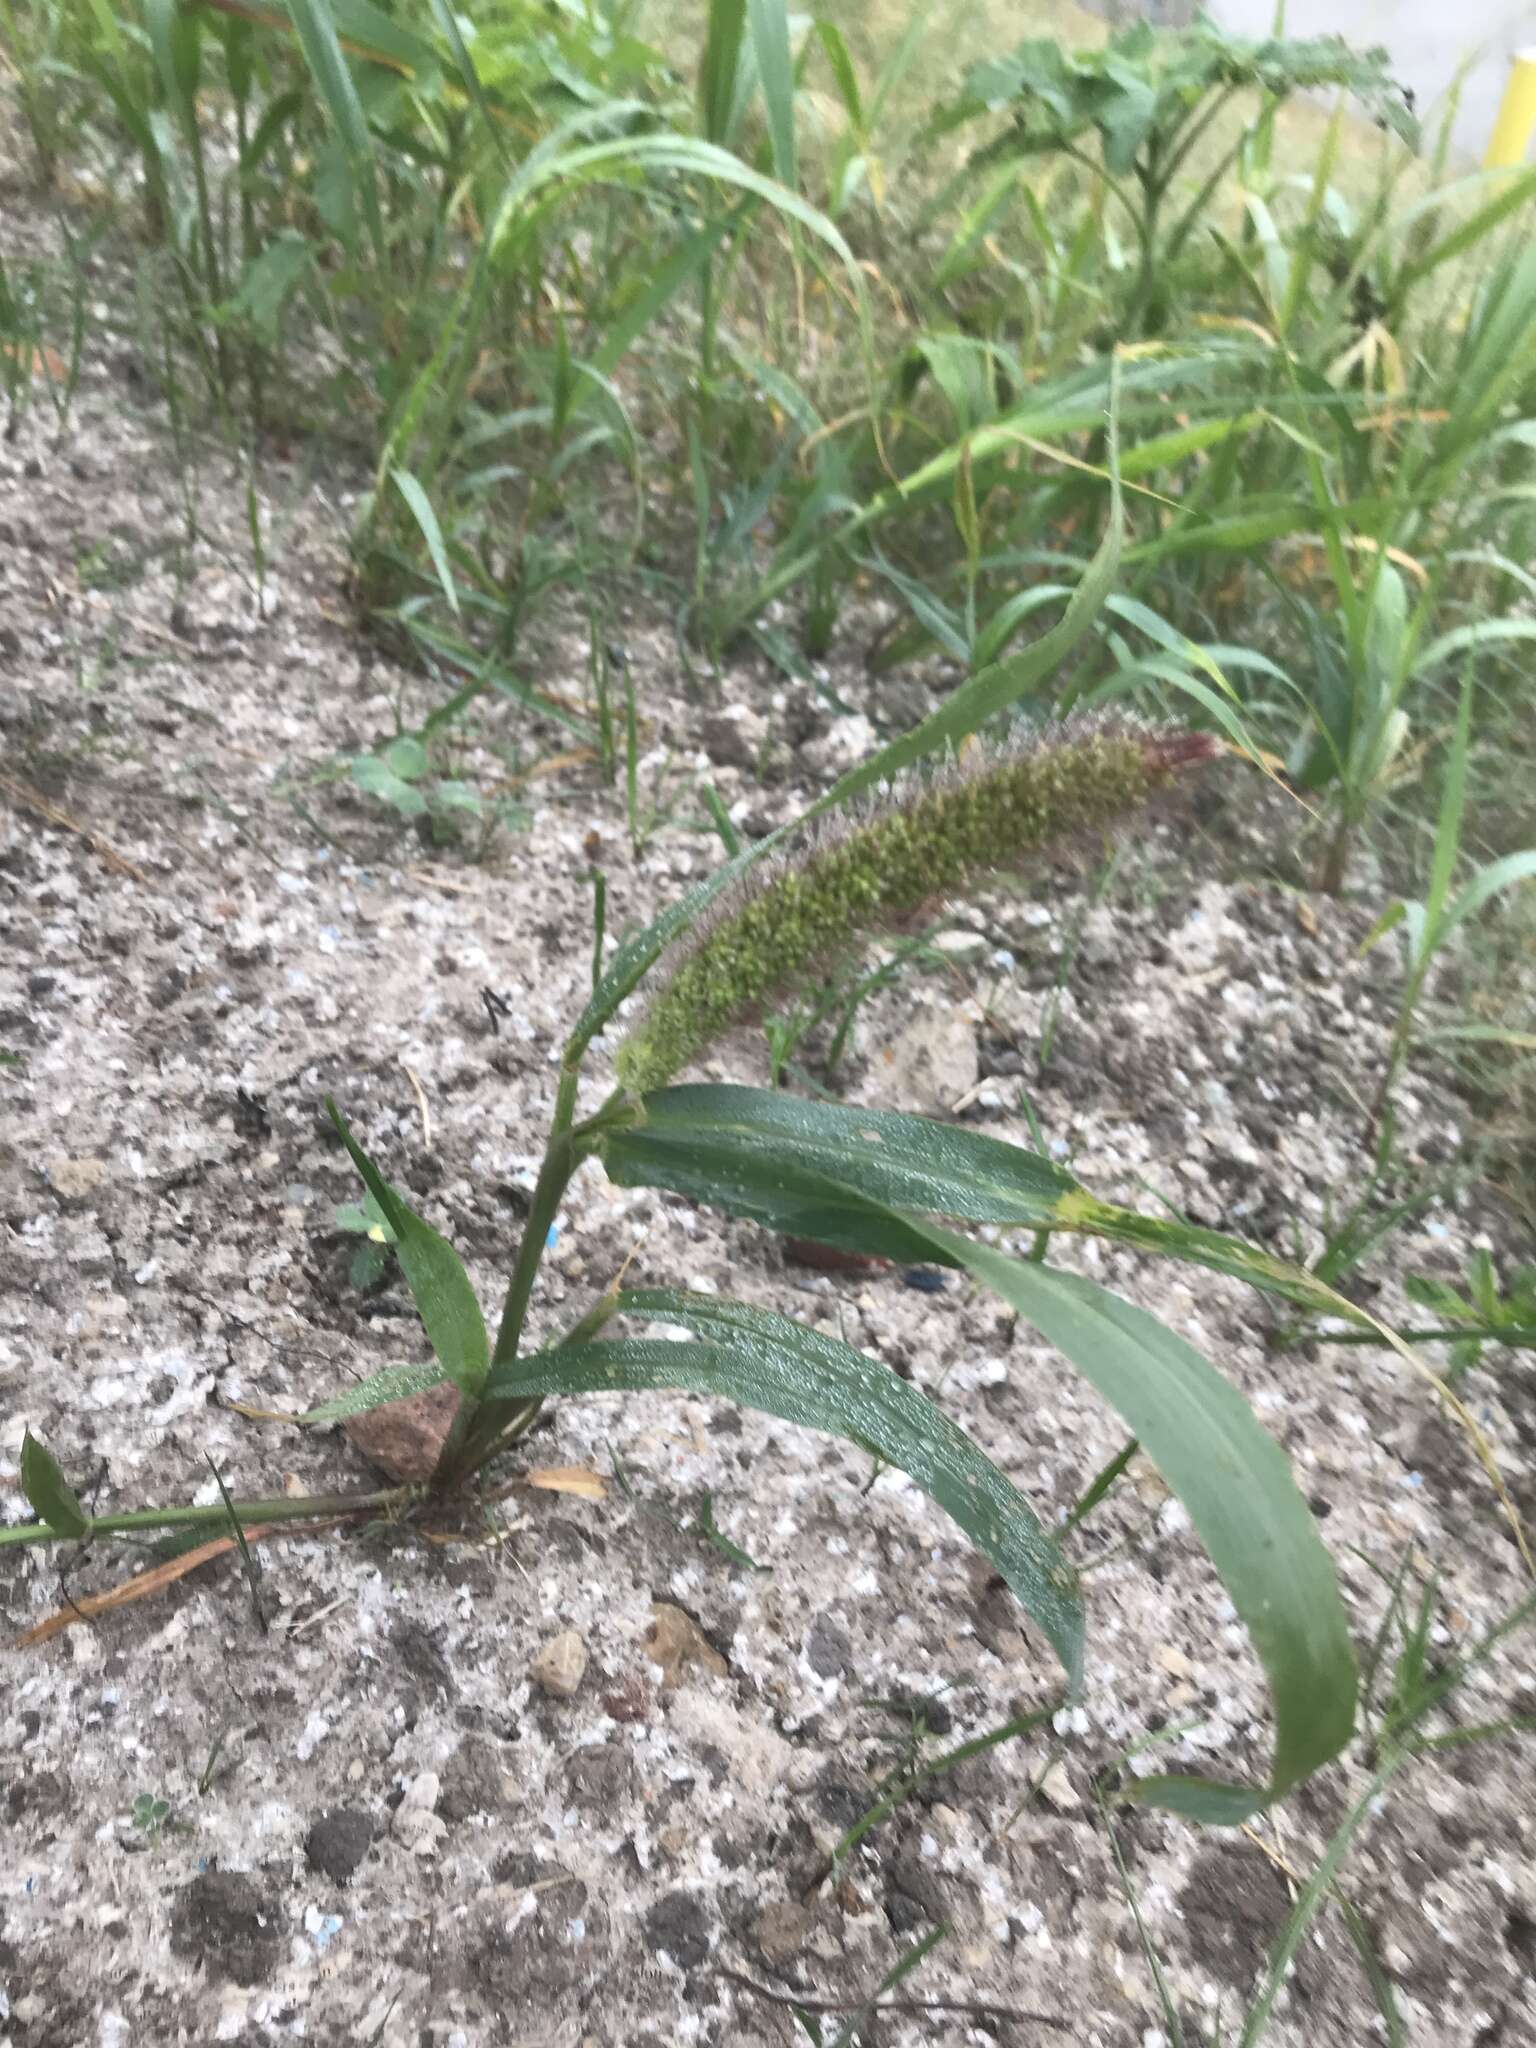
x,y
783,1369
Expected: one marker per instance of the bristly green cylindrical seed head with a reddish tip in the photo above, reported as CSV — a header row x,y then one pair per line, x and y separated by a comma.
x,y
873,867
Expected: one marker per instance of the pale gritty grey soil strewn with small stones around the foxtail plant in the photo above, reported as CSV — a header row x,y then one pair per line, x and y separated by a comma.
x,y
374,1822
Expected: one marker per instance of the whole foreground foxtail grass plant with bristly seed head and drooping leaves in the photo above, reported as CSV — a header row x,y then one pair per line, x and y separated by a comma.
x,y
888,841
